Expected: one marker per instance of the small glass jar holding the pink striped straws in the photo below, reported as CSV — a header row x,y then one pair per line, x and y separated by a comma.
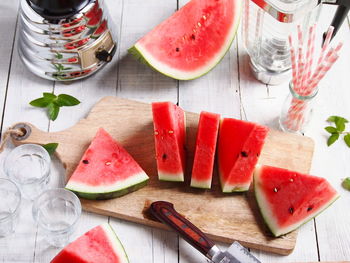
x,y
297,110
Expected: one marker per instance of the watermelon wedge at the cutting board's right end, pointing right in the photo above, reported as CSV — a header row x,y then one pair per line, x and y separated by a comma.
x,y
289,199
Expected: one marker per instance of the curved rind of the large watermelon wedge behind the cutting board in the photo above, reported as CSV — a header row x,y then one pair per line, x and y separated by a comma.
x,y
137,52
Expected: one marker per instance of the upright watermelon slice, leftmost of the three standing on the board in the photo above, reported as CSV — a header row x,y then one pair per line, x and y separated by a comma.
x,y
169,136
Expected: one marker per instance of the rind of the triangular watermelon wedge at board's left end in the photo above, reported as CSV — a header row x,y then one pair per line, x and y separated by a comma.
x,y
108,192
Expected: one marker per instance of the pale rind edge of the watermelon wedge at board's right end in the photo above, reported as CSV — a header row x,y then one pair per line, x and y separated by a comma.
x,y
268,219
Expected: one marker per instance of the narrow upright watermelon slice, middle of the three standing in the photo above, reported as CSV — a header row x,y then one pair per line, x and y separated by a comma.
x,y
203,164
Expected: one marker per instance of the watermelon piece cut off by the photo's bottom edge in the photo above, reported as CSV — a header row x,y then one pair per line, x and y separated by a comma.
x,y
100,244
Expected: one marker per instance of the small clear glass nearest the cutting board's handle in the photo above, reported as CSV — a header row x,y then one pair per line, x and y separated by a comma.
x,y
28,166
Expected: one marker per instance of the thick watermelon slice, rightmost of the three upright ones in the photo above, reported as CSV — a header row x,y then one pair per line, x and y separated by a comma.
x,y
239,147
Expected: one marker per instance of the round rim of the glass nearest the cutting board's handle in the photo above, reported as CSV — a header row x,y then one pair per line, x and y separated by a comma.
x,y
46,157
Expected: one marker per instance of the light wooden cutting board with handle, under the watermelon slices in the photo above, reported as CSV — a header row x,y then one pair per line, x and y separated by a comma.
x,y
224,217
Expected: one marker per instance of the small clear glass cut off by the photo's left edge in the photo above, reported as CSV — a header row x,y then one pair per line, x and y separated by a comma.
x,y
10,197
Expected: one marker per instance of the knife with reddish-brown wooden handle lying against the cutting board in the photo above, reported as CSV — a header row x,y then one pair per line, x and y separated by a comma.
x,y
166,213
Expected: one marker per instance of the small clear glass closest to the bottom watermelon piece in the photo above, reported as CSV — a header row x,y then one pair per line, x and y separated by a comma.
x,y
57,211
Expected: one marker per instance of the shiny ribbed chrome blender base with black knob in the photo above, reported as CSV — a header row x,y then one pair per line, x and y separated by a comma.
x,y
65,40
